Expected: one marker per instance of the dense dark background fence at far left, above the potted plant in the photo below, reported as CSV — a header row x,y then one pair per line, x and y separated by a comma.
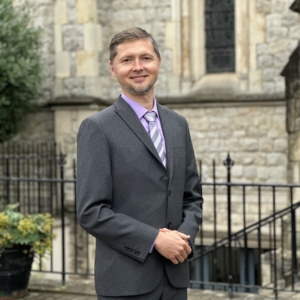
x,y
31,169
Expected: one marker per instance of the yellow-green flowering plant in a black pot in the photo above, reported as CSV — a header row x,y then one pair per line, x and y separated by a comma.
x,y
21,237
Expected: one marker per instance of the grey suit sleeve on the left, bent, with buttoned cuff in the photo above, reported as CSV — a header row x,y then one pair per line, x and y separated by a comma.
x,y
94,196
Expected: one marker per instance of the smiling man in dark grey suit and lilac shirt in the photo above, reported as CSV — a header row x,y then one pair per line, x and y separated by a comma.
x,y
138,190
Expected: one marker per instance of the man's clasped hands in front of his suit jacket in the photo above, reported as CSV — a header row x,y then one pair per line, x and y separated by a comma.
x,y
173,245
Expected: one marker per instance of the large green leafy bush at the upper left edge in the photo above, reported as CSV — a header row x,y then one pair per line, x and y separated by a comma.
x,y
20,68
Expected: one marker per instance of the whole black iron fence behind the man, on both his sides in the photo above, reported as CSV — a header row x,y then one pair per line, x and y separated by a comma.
x,y
247,242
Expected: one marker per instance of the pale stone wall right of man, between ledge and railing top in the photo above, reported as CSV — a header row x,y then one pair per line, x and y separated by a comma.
x,y
253,135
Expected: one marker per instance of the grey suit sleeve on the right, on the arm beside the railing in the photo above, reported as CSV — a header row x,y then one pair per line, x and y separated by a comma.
x,y
192,198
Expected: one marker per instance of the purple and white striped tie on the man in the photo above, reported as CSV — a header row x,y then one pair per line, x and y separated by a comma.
x,y
155,136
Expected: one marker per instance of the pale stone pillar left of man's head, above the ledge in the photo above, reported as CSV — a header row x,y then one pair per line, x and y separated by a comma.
x,y
78,43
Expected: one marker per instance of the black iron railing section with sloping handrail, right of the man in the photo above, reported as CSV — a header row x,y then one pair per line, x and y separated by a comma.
x,y
258,249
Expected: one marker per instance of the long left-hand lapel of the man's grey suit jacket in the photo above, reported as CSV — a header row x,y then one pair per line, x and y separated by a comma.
x,y
130,118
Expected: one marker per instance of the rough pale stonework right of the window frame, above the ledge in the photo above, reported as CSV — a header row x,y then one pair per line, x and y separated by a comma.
x,y
282,34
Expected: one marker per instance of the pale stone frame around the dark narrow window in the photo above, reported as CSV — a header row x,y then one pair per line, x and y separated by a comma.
x,y
193,70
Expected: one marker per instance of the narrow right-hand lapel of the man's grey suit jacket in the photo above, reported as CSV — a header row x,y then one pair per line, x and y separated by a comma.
x,y
166,123
